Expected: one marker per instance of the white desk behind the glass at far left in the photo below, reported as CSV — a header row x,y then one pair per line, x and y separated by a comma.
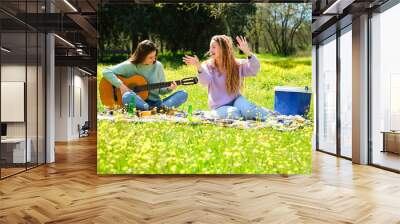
x,y
18,150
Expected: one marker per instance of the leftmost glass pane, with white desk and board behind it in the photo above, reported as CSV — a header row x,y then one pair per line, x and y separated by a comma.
x,y
13,85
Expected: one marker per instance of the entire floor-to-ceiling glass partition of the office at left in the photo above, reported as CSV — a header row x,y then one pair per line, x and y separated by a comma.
x,y
22,87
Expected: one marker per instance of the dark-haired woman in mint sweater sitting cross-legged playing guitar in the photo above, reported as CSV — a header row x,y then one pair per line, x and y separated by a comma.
x,y
143,62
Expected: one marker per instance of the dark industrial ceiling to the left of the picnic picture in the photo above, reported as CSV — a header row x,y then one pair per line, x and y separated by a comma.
x,y
74,22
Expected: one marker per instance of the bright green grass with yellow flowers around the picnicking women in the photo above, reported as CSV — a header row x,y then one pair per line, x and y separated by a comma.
x,y
157,148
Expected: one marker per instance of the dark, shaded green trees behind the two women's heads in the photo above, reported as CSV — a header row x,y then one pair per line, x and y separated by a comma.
x,y
174,27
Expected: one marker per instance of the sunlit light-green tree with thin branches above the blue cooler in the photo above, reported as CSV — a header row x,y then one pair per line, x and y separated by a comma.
x,y
282,29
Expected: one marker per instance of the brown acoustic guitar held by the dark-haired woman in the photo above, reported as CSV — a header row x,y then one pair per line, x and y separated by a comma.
x,y
111,96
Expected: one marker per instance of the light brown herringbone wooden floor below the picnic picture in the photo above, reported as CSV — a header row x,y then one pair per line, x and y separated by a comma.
x,y
69,191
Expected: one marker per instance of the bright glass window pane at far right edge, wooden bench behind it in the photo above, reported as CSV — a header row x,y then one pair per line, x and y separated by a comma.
x,y
385,88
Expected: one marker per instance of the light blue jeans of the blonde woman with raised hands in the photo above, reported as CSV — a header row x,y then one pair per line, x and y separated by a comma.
x,y
242,108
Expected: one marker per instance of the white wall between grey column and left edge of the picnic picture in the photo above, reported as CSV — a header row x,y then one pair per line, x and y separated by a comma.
x,y
70,83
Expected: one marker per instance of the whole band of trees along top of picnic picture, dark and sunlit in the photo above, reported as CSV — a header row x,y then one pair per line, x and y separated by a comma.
x,y
270,28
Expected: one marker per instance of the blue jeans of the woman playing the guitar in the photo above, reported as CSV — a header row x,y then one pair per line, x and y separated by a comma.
x,y
172,101
